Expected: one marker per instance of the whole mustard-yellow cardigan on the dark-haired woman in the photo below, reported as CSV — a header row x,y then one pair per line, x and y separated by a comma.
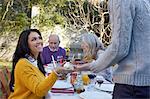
x,y
30,83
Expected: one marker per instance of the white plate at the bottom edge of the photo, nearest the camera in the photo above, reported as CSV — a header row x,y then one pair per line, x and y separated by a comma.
x,y
95,95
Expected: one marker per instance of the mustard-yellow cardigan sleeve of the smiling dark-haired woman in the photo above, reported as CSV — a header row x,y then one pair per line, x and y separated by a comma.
x,y
33,79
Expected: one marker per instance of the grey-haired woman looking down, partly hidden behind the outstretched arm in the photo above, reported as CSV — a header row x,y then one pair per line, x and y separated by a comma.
x,y
92,49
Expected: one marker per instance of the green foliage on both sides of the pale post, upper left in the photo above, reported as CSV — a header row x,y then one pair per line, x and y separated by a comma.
x,y
18,16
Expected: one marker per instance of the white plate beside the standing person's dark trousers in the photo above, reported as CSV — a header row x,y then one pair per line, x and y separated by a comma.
x,y
105,87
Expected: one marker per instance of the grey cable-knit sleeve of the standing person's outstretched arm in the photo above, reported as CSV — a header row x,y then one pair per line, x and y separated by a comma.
x,y
121,15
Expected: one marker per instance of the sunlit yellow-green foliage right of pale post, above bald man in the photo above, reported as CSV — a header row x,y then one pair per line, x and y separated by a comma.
x,y
49,16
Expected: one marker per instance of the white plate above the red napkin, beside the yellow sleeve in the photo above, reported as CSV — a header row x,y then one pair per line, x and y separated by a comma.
x,y
62,84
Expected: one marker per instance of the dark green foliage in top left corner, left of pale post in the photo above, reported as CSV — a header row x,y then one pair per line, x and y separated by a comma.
x,y
14,18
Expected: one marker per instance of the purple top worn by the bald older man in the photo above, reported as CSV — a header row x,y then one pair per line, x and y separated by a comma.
x,y
47,55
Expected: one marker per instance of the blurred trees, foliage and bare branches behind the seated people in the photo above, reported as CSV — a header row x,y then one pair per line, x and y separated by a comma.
x,y
74,16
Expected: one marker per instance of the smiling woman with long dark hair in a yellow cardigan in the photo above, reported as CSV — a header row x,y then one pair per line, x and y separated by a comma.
x,y
27,78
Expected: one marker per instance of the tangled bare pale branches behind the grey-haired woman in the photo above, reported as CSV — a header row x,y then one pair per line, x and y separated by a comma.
x,y
88,15
